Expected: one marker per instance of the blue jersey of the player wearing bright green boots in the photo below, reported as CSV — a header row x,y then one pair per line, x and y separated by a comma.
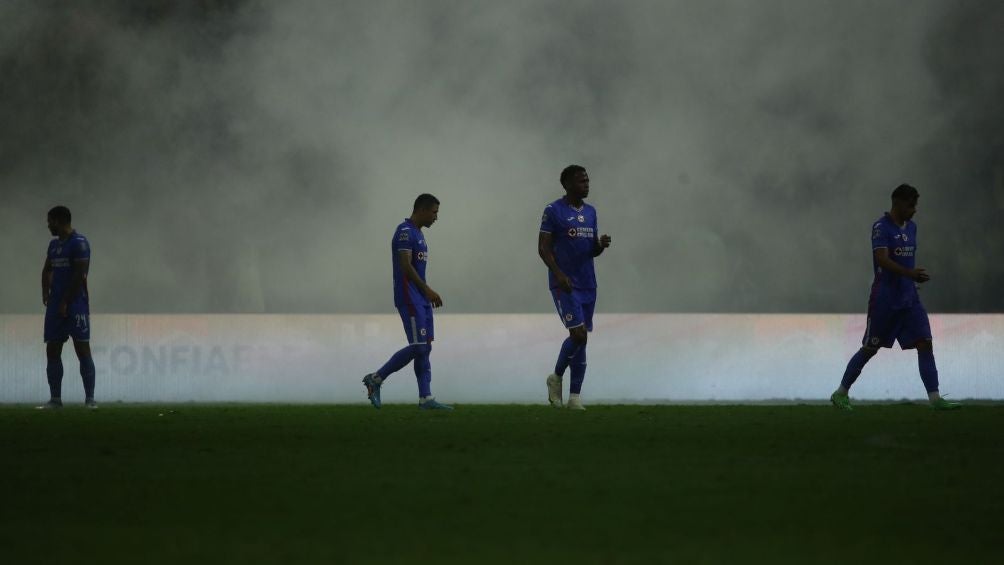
x,y
890,290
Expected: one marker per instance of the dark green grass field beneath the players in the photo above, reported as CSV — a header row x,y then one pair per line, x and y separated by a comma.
x,y
501,484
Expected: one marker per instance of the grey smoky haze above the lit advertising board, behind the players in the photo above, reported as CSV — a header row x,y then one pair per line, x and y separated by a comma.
x,y
256,157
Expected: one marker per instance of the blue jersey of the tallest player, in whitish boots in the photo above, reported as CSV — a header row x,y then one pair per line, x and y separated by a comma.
x,y
575,234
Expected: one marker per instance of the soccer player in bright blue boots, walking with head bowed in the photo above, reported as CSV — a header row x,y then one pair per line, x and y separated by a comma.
x,y
415,302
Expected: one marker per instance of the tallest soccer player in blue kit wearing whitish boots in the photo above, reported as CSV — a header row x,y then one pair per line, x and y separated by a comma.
x,y
568,243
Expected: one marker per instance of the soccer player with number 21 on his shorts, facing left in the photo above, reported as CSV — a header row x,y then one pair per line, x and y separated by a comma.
x,y
68,314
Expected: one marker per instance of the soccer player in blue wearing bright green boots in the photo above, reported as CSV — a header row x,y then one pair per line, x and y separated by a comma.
x,y
895,310
